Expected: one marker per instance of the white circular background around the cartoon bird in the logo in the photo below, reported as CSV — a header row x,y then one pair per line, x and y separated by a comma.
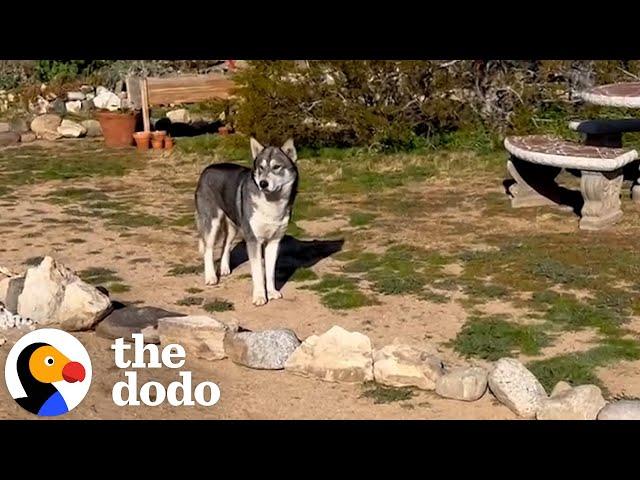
x,y
68,345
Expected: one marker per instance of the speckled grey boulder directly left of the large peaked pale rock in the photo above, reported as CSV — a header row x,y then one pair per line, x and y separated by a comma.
x,y
265,350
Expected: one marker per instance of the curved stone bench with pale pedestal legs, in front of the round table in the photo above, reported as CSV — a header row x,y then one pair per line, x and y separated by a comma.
x,y
536,161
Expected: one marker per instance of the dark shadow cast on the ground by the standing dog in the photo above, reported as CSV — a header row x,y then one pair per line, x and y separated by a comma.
x,y
293,254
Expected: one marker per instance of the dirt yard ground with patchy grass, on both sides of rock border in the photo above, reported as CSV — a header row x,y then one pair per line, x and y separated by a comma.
x,y
126,221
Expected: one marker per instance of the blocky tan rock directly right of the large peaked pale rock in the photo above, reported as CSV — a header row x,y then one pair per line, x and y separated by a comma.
x,y
400,365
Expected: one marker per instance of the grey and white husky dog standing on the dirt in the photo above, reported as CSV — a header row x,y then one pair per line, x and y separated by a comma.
x,y
255,202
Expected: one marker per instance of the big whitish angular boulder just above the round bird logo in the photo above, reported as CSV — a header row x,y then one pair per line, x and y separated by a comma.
x,y
55,296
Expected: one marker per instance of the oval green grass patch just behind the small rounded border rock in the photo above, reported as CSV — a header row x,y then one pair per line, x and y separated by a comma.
x,y
492,338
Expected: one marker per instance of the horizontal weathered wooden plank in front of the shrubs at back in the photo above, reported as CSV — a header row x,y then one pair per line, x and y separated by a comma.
x,y
188,89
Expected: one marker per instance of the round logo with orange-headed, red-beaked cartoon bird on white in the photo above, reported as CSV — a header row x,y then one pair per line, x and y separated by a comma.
x,y
48,372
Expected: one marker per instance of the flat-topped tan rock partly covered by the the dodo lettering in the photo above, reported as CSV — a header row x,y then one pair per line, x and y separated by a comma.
x,y
201,336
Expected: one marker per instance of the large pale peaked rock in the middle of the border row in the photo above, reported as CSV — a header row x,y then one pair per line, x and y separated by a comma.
x,y
335,356
